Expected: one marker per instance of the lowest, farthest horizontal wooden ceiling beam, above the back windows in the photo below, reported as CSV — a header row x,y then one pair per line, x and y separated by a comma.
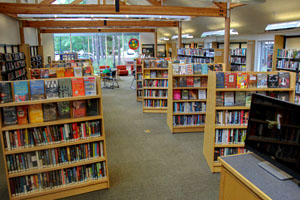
x,y
127,30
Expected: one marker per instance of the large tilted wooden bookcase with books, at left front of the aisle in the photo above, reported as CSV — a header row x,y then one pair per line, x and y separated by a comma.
x,y
53,137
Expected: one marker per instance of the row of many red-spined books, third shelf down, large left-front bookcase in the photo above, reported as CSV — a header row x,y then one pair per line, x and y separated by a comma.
x,y
63,133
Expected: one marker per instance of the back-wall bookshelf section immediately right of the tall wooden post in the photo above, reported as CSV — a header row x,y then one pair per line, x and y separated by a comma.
x,y
238,59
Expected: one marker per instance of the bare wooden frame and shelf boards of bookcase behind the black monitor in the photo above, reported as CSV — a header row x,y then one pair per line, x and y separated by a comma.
x,y
210,145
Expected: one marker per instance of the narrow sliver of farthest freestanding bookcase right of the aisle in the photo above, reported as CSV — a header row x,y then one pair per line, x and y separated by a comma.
x,y
139,79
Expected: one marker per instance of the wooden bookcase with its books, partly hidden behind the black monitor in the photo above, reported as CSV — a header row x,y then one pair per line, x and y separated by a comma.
x,y
229,99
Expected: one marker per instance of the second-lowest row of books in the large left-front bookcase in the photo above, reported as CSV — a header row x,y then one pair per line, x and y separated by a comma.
x,y
53,157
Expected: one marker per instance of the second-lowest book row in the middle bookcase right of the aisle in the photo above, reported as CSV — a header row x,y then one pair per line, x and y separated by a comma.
x,y
189,107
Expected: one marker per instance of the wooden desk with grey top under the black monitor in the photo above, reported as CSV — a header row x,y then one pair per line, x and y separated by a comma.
x,y
243,179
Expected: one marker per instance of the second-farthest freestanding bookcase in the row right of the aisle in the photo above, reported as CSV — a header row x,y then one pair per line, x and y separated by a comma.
x,y
155,86
